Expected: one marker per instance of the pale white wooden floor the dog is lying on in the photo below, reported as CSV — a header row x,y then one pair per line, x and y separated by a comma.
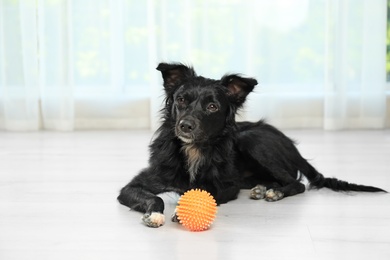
x,y
58,201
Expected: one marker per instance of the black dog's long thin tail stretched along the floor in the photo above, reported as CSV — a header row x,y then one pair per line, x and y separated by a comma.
x,y
318,181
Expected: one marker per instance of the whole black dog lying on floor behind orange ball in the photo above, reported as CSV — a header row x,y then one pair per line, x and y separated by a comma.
x,y
200,145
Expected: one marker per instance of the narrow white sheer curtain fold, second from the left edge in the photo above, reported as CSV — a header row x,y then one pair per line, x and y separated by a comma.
x,y
55,62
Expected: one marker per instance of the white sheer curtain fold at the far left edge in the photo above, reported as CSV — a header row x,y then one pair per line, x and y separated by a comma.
x,y
19,89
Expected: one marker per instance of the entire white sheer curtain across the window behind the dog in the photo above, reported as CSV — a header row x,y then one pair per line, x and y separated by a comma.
x,y
90,64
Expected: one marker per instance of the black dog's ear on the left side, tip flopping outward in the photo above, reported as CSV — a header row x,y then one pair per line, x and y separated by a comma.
x,y
174,74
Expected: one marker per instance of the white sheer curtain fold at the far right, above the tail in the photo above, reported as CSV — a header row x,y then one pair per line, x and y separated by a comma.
x,y
355,89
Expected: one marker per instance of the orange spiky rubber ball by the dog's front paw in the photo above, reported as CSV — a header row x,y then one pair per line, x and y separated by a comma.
x,y
196,210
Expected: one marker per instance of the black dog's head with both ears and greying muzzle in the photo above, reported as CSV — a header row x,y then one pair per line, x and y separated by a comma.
x,y
202,108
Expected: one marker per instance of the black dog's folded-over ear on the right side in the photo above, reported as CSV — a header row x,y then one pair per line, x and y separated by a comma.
x,y
238,87
